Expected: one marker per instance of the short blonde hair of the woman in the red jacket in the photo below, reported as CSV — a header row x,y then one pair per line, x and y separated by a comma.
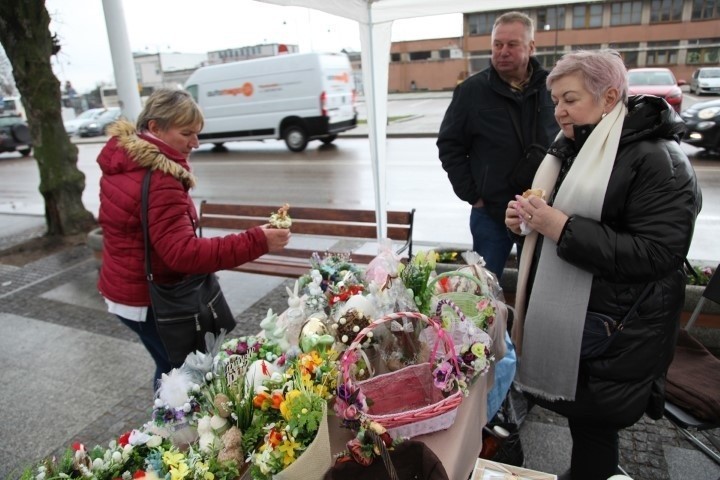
x,y
170,108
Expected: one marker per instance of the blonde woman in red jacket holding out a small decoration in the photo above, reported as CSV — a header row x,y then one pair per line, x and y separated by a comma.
x,y
167,131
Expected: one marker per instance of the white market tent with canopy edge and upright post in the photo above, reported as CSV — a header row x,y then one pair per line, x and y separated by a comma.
x,y
375,18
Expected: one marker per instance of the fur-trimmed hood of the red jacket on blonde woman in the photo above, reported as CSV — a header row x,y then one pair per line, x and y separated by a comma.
x,y
145,152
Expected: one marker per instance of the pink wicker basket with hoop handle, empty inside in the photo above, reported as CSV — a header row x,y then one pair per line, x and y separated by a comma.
x,y
407,396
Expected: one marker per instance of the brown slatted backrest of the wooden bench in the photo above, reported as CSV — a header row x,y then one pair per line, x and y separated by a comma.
x,y
311,221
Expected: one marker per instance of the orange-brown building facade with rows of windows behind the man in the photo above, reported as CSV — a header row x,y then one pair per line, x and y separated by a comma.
x,y
682,35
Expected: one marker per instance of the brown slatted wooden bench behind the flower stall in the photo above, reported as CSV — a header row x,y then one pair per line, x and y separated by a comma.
x,y
328,223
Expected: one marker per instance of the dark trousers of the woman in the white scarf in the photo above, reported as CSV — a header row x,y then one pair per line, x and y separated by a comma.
x,y
595,450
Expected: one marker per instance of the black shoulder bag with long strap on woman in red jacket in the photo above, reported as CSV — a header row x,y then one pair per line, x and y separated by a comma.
x,y
186,310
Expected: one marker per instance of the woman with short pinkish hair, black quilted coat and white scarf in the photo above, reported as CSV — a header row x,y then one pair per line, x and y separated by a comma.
x,y
622,199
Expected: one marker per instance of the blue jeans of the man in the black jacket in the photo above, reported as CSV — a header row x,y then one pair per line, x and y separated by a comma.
x,y
490,239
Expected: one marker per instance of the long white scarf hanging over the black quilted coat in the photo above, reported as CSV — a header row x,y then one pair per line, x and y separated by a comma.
x,y
549,336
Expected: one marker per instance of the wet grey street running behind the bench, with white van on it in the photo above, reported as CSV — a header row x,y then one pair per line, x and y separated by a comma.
x,y
335,175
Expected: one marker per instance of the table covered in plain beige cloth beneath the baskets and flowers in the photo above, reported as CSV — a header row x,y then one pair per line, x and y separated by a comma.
x,y
457,447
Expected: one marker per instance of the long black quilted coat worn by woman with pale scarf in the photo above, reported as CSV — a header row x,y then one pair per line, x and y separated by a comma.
x,y
644,234
